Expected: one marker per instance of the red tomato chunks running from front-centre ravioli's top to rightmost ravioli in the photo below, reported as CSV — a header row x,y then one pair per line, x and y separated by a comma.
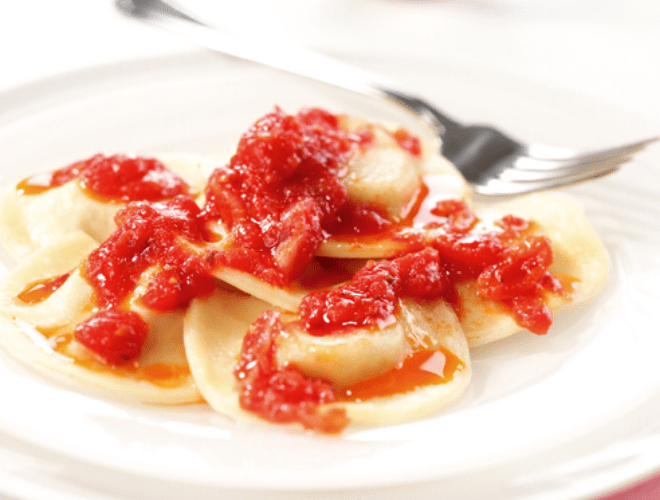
x,y
509,267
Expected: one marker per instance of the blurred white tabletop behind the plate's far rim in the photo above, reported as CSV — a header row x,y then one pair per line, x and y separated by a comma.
x,y
606,49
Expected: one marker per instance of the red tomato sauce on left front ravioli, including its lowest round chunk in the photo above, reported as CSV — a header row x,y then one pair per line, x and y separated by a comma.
x,y
152,237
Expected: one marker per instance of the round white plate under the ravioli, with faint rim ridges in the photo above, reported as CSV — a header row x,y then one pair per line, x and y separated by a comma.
x,y
568,415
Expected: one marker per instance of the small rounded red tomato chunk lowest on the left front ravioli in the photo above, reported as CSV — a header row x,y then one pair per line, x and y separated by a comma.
x,y
115,336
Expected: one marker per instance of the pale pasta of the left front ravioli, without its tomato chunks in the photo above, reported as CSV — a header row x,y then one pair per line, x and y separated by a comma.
x,y
39,331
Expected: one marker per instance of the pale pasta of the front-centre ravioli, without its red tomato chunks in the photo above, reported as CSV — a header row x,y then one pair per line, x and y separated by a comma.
x,y
214,335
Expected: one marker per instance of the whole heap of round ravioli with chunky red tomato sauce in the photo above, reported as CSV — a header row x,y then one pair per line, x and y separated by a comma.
x,y
331,272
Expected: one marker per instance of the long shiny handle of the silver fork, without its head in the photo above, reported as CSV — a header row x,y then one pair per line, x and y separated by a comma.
x,y
285,56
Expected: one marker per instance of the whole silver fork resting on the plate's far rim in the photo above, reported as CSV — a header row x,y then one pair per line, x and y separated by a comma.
x,y
493,163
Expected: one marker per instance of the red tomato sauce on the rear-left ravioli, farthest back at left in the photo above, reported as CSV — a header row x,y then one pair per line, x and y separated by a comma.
x,y
117,177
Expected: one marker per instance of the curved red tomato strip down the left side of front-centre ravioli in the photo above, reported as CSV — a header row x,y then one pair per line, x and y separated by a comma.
x,y
282,394
